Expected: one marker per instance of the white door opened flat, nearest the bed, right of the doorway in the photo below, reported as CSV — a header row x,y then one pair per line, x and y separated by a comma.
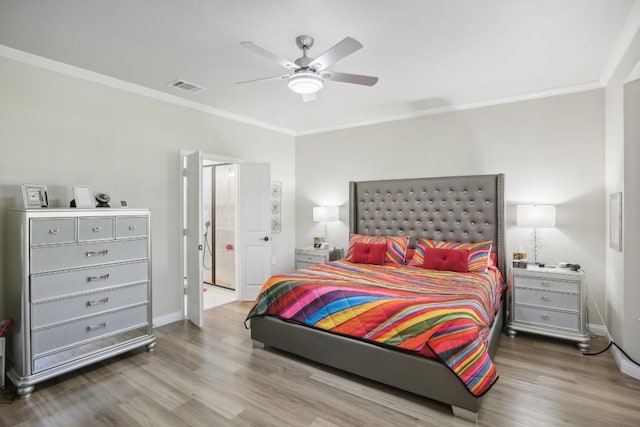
x,y
254,228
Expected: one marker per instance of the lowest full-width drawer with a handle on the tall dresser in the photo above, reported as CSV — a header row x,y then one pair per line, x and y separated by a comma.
x,y
87,329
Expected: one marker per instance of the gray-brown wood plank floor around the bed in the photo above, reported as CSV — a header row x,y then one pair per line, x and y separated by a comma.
x,y
214,377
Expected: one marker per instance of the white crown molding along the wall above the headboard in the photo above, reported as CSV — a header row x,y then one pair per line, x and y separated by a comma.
x,y
461,107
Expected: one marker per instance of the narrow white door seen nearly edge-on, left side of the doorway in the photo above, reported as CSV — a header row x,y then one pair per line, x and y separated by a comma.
x,y
194,241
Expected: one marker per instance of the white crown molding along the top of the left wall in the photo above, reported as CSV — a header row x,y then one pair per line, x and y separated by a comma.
x,y
81,73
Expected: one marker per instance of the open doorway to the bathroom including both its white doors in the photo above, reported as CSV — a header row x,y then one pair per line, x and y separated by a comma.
x,y
248,220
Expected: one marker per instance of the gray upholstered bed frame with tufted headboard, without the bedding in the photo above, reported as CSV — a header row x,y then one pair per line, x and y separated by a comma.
x,y
461,209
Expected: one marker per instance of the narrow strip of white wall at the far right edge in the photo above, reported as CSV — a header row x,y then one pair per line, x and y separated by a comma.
x,y
623,157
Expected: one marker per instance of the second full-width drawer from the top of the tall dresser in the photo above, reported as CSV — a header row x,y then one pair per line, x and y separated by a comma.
x,y
52,285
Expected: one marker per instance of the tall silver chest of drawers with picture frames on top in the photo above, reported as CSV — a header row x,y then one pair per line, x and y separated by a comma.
x,y
78,288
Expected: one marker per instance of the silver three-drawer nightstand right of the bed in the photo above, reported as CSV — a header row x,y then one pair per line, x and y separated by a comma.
x,y
549,301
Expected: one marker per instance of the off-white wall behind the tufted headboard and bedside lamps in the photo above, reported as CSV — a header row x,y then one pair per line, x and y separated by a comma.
x,y
551,151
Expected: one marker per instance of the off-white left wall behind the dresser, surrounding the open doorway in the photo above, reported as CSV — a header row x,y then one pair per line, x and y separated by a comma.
x,y
59,130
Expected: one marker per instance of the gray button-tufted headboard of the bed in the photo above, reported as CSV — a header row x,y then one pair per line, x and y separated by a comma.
x,y
456,208
